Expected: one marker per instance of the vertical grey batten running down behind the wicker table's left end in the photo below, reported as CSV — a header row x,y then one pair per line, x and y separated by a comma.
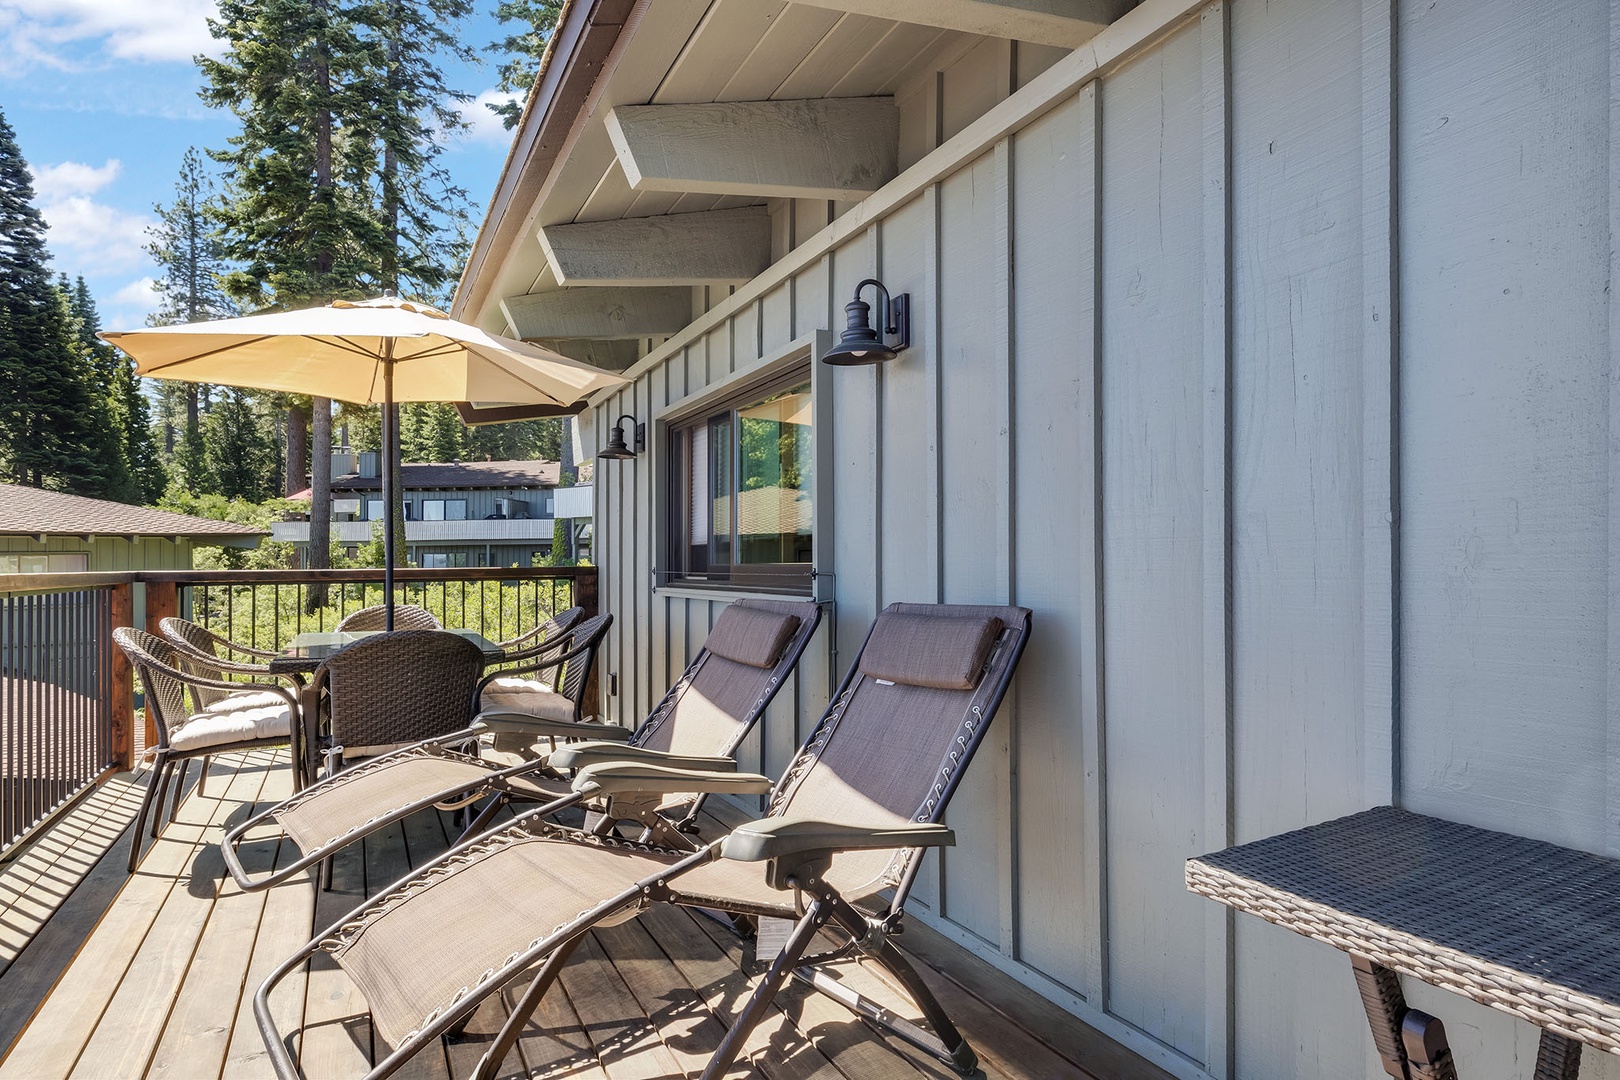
x,y
1216,33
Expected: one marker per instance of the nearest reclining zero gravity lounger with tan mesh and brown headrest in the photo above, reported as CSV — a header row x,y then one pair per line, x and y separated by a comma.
x,y
848,822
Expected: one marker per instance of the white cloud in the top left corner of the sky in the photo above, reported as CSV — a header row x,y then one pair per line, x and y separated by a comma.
x,y
35,32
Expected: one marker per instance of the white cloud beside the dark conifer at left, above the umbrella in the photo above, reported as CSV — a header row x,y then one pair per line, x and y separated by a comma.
x,y
85,236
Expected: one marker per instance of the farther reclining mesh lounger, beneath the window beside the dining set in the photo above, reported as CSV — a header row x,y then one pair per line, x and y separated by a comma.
x,y
746,660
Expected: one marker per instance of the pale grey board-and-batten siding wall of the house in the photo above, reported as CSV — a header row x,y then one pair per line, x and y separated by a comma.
x,y
1266,352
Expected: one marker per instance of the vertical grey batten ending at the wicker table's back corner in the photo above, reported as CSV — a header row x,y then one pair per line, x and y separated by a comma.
x,y
1381,412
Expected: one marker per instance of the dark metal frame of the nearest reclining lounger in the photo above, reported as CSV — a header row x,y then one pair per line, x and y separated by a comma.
x,y
869,933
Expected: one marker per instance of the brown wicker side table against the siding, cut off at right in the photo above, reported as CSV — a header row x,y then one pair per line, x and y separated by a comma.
x,y
1520,925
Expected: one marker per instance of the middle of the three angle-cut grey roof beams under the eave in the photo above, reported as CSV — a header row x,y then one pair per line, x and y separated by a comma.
x,y
709,249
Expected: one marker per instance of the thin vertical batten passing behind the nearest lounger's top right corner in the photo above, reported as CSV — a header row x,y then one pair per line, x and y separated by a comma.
x,y
1007,574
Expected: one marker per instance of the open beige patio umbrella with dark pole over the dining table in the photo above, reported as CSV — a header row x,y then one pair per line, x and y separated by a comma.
x,y
372,352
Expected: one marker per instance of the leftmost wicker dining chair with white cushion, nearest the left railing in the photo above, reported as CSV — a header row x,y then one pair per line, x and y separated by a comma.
x,y
185,733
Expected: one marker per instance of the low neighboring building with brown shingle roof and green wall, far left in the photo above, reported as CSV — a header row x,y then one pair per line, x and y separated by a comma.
x,y
49,532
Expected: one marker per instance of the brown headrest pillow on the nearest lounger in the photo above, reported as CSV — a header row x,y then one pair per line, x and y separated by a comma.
x,y
940,652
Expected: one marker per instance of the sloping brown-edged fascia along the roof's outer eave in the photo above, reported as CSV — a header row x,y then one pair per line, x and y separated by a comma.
x,y
587,33
